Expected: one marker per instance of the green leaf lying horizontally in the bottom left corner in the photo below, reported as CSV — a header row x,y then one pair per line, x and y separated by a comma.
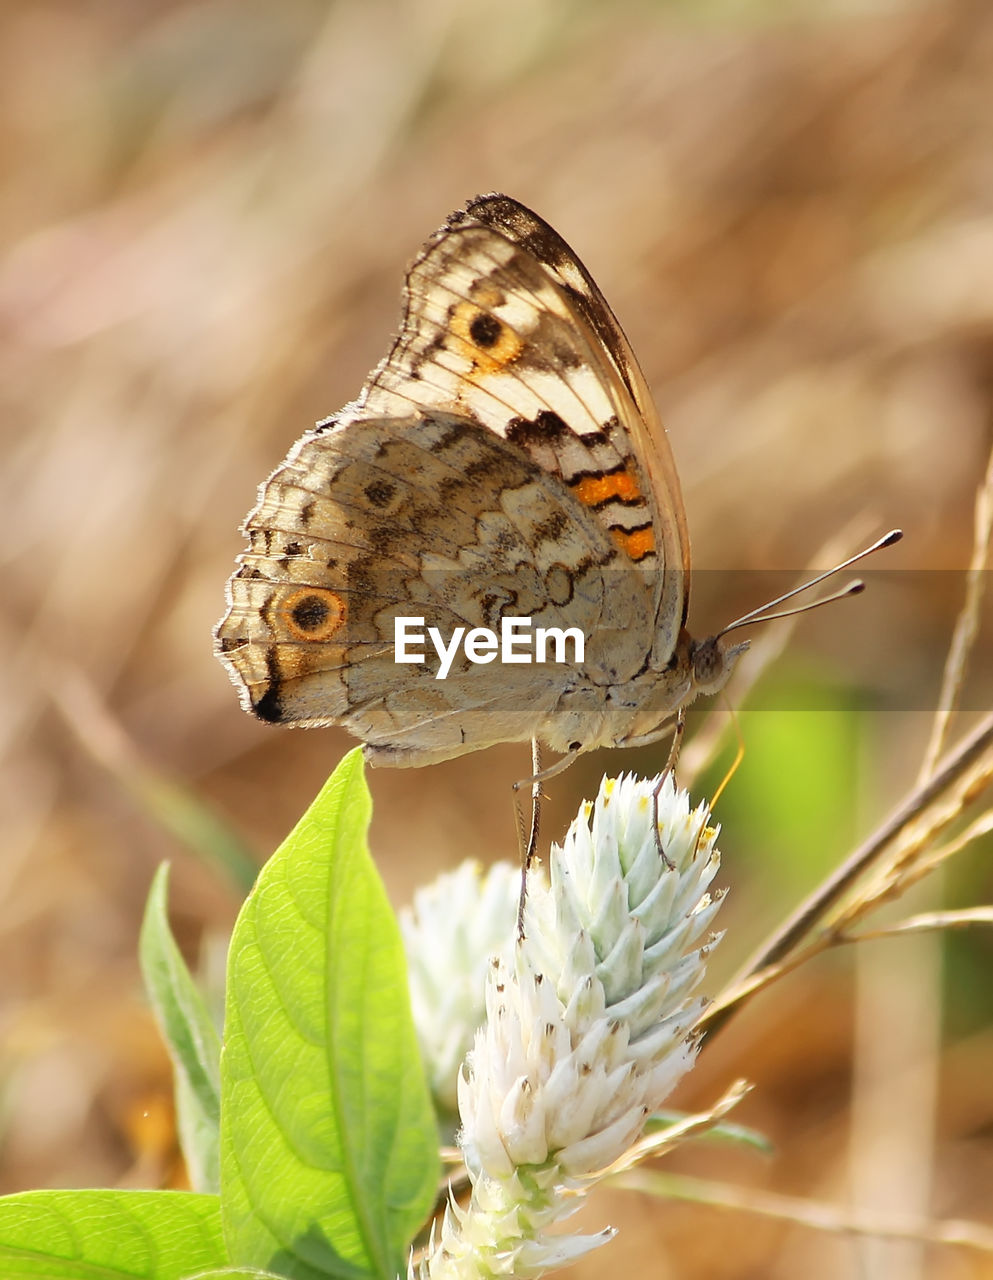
x,y
109,1236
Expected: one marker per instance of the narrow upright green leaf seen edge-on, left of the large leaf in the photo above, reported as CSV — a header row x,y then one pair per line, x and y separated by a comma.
x,y
190,1035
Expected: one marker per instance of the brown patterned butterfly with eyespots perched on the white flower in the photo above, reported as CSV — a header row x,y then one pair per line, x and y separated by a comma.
x,y
505,461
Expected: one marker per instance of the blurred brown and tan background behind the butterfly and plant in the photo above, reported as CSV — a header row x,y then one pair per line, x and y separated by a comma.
x,y
205,213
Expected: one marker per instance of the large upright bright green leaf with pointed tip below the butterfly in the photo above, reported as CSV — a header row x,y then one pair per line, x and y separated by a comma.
x,y
330,1151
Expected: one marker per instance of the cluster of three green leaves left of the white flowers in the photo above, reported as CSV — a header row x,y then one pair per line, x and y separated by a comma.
x,y
328,1144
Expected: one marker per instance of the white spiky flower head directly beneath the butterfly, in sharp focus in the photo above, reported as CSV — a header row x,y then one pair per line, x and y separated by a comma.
x,y
588,1028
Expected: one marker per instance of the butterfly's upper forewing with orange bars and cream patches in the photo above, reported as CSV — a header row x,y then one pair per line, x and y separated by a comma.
x,y
504,323
